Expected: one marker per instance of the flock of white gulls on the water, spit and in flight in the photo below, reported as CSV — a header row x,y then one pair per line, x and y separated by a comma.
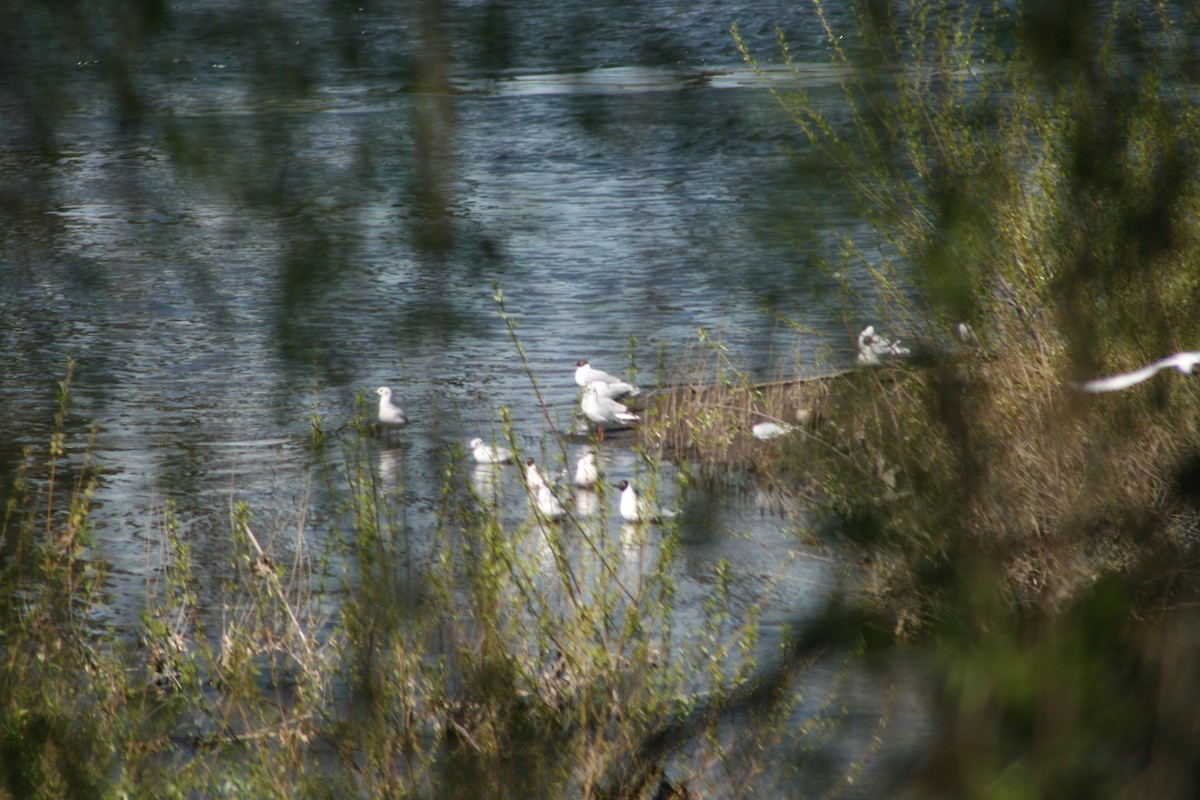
x,y
603,393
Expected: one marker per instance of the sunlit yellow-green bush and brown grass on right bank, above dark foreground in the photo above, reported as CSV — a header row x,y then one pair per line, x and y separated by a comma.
x,y
1047,200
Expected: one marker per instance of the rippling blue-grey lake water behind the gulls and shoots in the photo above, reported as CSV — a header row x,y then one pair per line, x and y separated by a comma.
x,y
279,214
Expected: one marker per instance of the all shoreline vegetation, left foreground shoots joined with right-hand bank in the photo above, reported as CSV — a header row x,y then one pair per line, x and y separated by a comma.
x,y
1036,546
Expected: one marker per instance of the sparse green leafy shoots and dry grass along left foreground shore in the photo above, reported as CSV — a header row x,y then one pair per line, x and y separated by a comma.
x,y
487,658
